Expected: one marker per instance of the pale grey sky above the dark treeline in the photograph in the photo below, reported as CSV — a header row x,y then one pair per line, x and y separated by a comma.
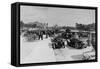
x,y
54,15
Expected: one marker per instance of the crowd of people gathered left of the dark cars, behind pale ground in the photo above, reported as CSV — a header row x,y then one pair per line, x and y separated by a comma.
x,y
38,34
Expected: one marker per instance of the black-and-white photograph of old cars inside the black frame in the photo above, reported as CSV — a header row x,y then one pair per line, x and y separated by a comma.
x,y
52,34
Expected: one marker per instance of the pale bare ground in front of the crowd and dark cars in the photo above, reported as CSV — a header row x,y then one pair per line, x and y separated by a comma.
x,y
40,51
